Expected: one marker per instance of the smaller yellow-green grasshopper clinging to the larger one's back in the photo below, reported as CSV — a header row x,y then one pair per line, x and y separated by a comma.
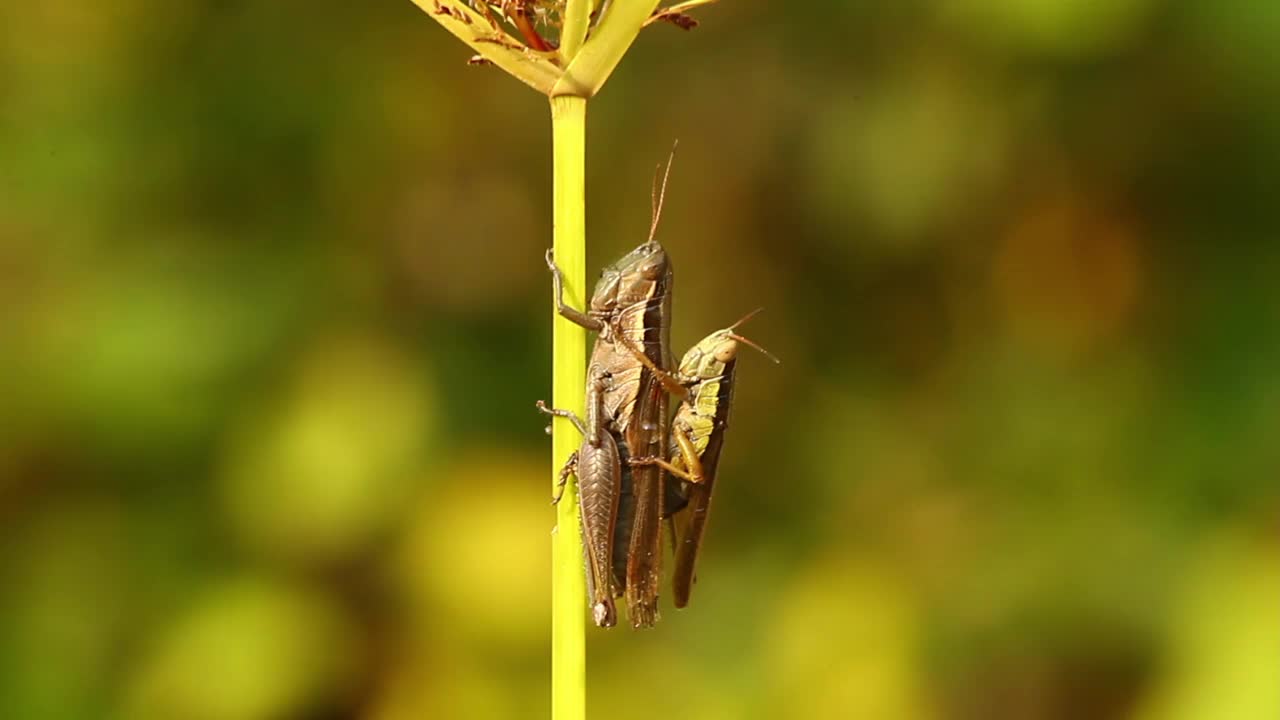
x,y
705,382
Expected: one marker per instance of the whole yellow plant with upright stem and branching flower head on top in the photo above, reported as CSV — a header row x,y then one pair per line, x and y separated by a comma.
x,y
588,54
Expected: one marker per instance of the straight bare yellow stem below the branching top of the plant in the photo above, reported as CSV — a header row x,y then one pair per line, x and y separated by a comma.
x,y
569,384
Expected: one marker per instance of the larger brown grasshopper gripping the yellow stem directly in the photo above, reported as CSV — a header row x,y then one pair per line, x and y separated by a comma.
x,y
630,311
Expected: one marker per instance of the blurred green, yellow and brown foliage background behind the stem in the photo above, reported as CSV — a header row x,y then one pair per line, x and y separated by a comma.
x,y
273,318
